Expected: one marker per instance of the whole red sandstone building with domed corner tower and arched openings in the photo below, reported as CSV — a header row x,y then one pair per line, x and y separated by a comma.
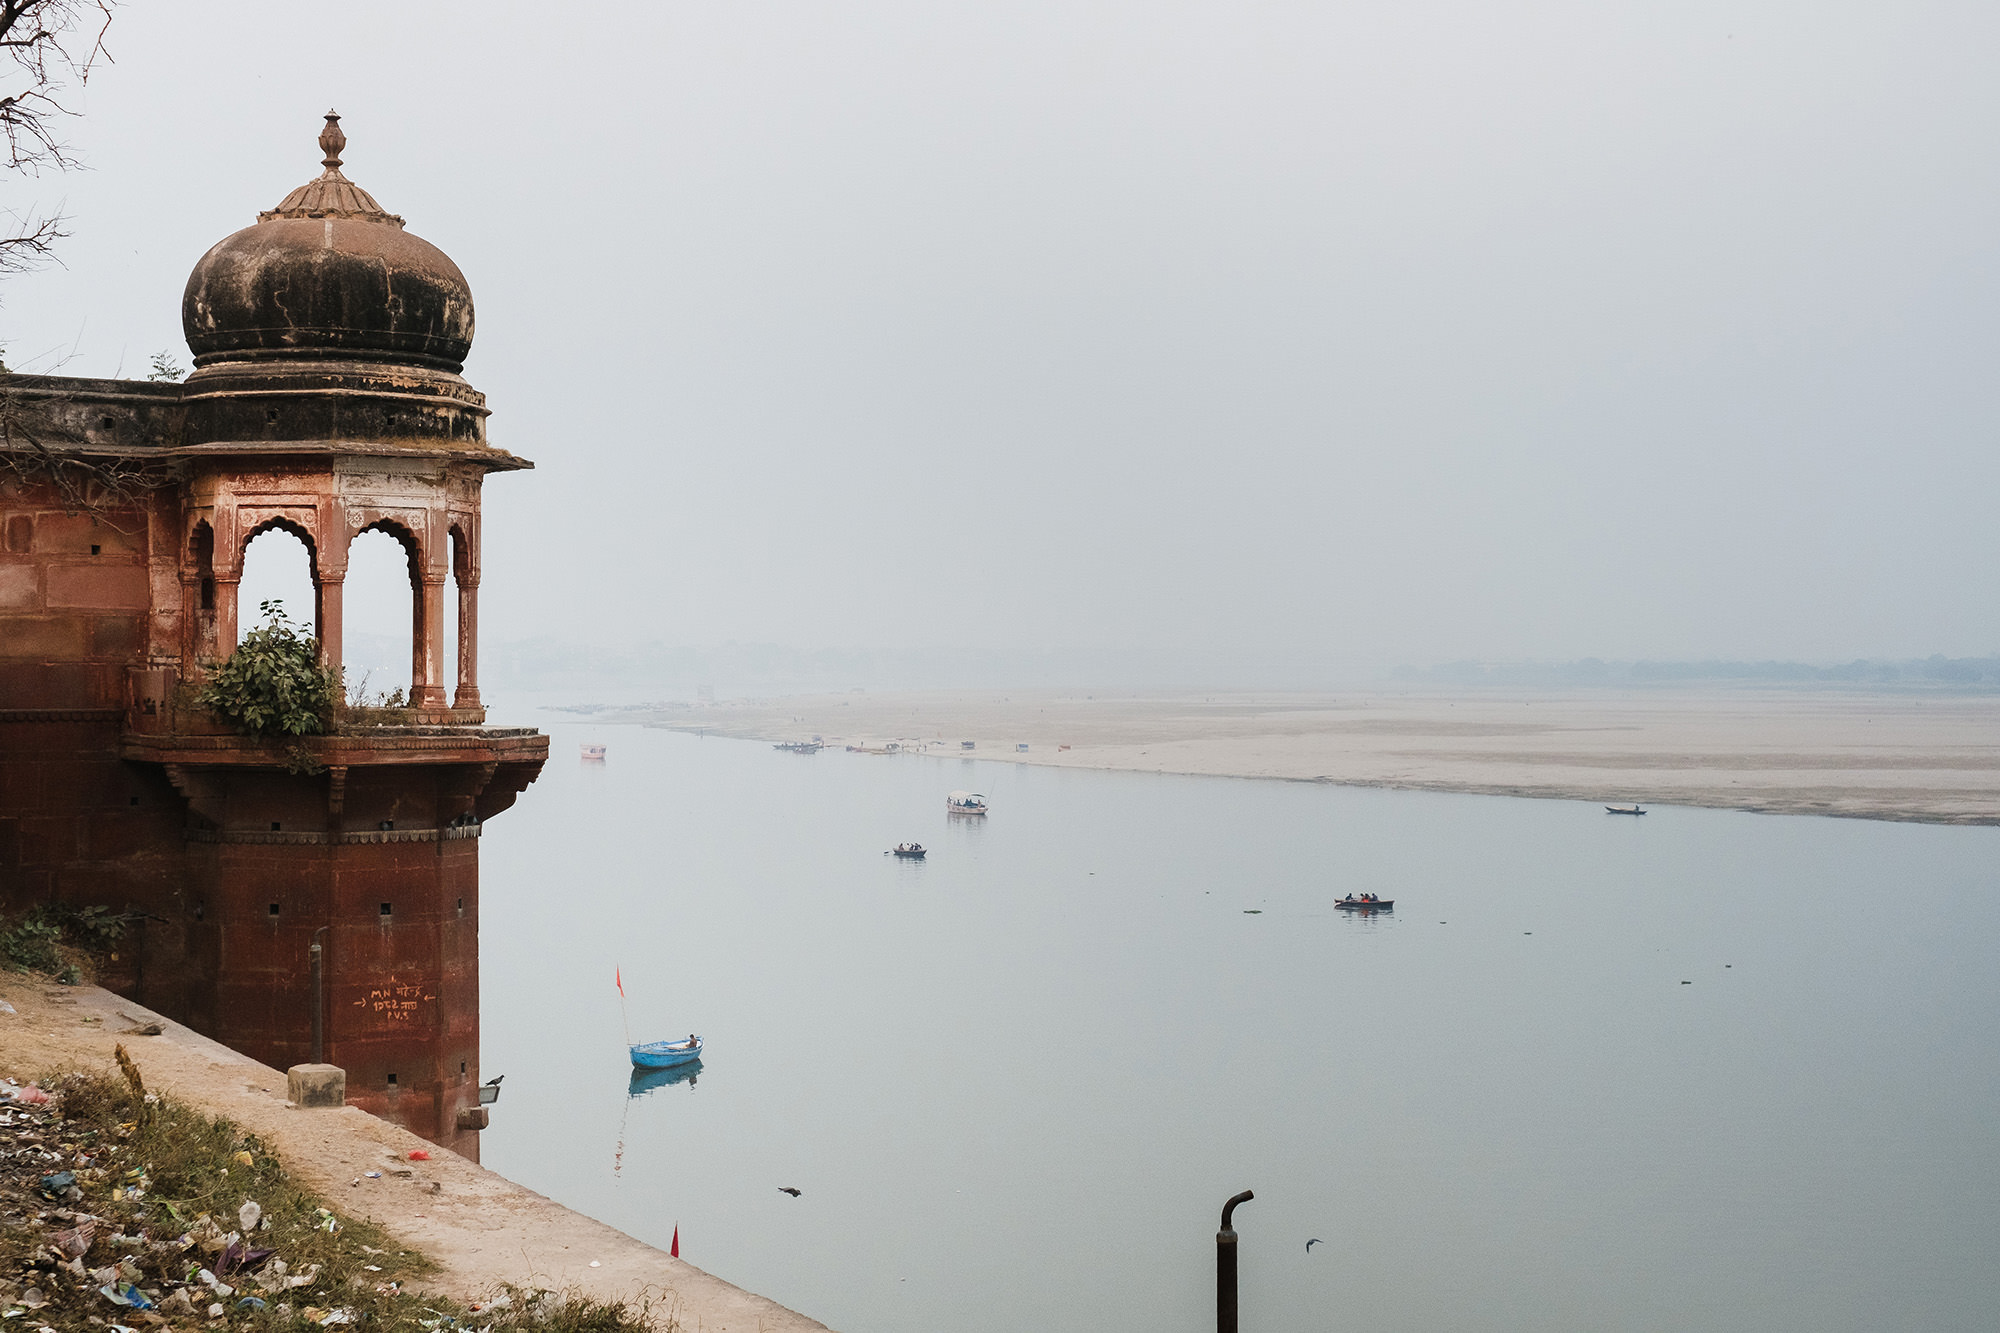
x,y
325,401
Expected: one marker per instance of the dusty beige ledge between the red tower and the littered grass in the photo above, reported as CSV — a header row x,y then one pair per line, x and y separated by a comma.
x,y
481,1228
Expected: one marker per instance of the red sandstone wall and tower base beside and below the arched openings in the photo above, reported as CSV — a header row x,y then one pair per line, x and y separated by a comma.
x,y
83,605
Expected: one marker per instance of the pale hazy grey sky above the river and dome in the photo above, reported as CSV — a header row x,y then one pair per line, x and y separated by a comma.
x,y
1381,331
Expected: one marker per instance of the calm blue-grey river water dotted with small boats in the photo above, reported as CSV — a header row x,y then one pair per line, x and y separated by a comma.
x,y
1685,1072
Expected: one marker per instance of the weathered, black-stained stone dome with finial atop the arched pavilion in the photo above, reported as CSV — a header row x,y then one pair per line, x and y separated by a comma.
x,y
329,275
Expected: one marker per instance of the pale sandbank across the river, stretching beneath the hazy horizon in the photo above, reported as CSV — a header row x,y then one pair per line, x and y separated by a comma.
x,y
1913,758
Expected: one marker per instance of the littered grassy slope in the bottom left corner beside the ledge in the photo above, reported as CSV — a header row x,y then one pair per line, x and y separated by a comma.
x,y
113,1194
